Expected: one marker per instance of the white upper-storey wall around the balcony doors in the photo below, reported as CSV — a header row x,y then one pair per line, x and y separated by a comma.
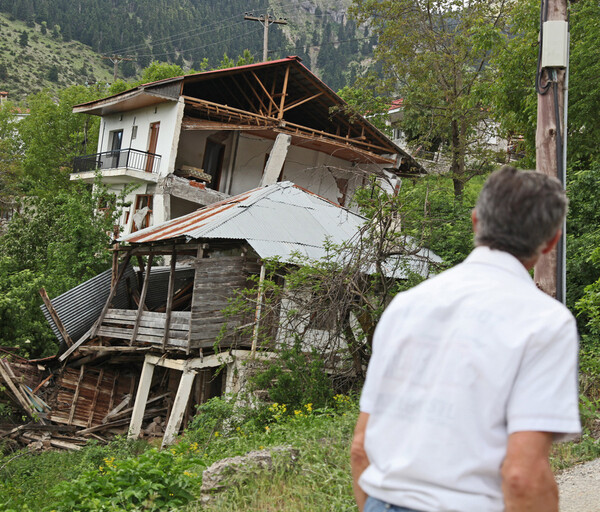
x,y
165,113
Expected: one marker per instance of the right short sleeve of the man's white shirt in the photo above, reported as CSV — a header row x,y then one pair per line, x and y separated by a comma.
x,y
545,395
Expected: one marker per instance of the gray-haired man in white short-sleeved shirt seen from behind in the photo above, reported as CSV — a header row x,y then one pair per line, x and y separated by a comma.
x,y
474,372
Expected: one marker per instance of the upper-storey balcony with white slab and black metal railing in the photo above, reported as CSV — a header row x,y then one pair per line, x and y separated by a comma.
x,y
123,165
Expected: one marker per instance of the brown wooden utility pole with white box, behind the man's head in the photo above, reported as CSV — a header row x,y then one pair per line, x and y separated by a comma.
x,y
550,139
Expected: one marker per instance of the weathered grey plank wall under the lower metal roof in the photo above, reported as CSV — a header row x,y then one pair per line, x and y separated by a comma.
x,y
217,280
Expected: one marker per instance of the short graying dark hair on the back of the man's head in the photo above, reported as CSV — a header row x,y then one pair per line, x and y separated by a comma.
x,y
519,211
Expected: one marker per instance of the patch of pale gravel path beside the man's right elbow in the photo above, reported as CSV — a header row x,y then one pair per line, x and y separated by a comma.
x,y
579,488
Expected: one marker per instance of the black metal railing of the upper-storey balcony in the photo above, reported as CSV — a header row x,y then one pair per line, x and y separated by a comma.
x,y
124,158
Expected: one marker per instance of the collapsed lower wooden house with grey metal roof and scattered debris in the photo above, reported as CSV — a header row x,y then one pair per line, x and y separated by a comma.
x,y
141,348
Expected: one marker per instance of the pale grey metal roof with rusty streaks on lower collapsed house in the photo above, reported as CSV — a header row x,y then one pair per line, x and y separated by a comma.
x,y
278,221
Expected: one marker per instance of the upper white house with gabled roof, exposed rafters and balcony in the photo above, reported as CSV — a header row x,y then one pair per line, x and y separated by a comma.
x,y
194,140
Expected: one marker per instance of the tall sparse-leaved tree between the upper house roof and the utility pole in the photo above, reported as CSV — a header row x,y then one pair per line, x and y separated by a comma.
x,y
435,54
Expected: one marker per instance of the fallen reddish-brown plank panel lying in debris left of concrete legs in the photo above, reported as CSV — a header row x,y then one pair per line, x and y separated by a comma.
x,y
84,398
